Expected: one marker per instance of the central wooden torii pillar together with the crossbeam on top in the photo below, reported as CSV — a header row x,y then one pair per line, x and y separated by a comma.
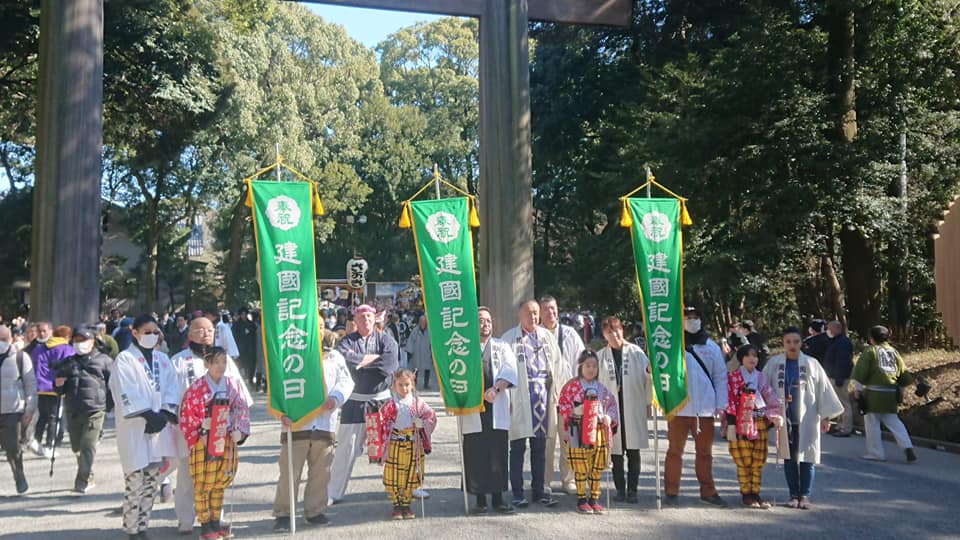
x,y
506,184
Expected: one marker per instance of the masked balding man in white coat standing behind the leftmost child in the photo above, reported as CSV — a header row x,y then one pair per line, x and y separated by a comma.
x,y
190,367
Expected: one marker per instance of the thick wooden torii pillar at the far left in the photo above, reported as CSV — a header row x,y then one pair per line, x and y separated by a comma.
x,y
65,261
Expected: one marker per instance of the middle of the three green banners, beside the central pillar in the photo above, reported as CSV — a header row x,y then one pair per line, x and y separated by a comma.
x,y
444,246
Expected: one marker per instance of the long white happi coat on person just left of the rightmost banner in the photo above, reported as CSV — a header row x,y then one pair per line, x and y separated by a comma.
x,y
636,394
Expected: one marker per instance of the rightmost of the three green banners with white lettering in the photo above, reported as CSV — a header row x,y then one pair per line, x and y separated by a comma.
x,y
658,250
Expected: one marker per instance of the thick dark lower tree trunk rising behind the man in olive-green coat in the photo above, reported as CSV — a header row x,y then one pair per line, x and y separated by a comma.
x,y
862,280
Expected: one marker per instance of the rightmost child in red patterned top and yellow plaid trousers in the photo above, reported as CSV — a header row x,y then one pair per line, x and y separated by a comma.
x,y
752,408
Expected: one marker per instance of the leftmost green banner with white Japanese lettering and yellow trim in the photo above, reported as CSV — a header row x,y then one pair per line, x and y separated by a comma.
x,y
283,226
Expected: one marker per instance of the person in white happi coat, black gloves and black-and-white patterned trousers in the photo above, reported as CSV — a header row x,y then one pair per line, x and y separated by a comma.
x,y
146,391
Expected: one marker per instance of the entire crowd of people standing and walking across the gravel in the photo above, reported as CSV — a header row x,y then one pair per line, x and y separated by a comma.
x,y
178,386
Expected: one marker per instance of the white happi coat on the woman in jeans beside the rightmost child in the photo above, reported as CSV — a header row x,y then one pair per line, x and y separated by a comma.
x,y
818,401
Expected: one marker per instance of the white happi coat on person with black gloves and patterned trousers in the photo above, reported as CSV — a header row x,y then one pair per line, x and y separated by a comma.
x,y
136,390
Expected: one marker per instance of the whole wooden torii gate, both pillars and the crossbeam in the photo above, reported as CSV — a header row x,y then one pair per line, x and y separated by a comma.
x,y
70,120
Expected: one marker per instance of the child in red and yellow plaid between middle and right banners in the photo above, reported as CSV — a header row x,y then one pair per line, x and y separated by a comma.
x,y
589,415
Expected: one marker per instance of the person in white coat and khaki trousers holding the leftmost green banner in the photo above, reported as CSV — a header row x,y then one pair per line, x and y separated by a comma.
x,y
313,445
